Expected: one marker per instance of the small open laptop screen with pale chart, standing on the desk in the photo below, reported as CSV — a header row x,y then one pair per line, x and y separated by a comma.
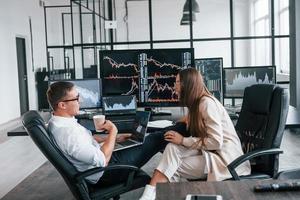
x,y
119,105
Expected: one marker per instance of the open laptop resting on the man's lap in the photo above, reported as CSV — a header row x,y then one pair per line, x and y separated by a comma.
x,y
139,130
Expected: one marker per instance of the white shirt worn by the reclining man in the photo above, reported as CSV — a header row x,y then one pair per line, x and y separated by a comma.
x,y
77,144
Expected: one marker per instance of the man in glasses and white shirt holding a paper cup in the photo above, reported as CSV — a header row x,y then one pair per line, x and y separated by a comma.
x,y
84,150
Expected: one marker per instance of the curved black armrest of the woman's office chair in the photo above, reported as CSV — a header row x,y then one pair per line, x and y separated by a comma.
x,y
234,164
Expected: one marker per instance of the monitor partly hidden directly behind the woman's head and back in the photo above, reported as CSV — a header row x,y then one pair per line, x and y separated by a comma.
x,y
211,70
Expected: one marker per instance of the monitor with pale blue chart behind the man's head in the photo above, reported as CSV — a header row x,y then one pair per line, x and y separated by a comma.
x,y
89,91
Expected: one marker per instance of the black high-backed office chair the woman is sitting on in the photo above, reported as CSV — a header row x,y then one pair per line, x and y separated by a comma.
x,y
260,127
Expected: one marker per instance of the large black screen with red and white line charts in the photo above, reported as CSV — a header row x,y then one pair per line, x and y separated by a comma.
x,y
148,74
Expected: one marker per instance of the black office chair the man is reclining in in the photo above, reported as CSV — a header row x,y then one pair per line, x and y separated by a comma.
x,y
81,189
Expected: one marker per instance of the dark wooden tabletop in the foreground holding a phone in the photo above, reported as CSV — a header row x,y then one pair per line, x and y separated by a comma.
x,y
237,190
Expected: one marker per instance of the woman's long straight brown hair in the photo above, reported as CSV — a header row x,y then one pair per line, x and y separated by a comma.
x,y
192,89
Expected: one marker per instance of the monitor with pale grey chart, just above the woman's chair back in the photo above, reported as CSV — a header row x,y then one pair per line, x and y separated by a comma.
x,y
237,79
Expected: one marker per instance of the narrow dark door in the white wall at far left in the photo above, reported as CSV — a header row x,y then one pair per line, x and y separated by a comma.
x,y
22,74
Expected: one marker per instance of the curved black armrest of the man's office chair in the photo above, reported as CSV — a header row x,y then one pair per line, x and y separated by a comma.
x,y
95,170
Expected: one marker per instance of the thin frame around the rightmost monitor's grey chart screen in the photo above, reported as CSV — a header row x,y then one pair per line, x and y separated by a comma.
x,y
244,67
